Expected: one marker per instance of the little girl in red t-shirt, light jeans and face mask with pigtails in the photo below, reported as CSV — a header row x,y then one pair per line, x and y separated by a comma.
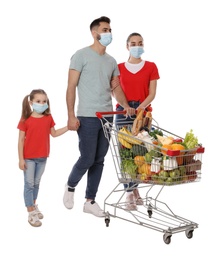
x,y
35,127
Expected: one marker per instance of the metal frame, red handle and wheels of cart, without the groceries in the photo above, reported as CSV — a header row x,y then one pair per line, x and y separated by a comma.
x,y
153,214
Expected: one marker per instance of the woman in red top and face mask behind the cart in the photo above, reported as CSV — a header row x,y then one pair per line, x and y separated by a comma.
x,y
138,79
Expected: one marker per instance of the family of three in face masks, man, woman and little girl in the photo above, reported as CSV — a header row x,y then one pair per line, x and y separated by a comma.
x,y
94,79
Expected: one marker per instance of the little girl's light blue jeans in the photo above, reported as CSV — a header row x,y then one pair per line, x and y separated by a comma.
x,y
32,176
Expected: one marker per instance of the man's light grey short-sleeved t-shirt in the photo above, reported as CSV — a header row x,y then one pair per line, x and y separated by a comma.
x,y
94,89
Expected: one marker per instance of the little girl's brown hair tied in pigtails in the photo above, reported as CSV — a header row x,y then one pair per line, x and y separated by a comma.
x,y
26,109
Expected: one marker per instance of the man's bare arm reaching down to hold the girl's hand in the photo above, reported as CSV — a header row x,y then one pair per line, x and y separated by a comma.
x,y
73,78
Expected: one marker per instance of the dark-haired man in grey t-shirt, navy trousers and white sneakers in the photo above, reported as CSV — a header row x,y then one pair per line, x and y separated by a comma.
x,y
91,72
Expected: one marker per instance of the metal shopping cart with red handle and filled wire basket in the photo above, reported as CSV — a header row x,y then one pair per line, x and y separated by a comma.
x,y
151,166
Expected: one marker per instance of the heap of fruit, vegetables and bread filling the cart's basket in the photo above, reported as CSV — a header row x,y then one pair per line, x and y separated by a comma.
x,y
151,154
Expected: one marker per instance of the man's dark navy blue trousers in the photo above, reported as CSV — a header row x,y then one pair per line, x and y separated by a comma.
x,y
93,147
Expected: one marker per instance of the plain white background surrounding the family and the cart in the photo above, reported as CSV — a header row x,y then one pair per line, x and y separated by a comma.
x,y
184,39
